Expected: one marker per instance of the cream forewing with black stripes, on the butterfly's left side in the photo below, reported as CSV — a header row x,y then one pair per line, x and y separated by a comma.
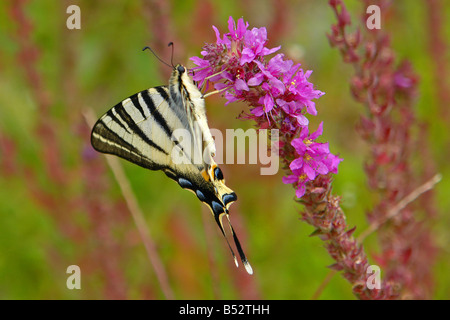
x,y
139,129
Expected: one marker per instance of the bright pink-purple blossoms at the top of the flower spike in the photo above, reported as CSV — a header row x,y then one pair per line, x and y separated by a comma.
x,y
278,92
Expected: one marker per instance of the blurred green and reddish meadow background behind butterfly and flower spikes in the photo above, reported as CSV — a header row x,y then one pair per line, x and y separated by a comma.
x,y
60,204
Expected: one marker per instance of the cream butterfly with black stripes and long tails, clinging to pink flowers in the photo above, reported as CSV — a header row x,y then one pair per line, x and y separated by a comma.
x,y
145,129
